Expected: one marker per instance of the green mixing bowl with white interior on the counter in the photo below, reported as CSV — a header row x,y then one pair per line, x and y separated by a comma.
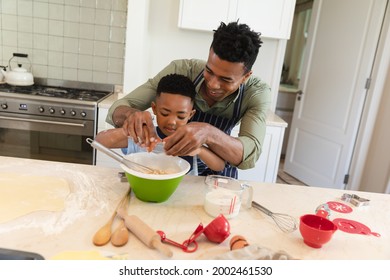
x,y
155,187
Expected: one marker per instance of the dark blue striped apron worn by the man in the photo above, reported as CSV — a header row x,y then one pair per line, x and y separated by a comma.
x,y
224,124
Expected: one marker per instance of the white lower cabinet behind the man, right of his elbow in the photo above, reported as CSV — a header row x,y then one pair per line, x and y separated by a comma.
x,y
266,168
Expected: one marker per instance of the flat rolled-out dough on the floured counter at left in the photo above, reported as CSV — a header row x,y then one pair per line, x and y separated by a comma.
x,y
24,194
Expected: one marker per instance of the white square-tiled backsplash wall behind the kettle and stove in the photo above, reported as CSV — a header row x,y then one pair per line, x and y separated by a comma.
x,y
77,40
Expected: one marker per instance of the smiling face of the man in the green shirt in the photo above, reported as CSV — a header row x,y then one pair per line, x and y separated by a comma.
x,y
222,78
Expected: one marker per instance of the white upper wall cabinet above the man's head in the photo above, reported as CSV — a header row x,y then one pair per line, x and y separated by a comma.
x,y
272,18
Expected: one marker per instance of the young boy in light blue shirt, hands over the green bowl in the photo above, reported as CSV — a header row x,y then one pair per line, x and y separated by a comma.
x,y
173,108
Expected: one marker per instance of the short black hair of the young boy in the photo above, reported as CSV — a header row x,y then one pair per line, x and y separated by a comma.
x,y
177,84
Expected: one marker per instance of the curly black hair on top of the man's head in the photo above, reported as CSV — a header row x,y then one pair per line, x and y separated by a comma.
x,y
236,42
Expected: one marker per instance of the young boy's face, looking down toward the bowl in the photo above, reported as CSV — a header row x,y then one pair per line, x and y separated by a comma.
x,y
172,111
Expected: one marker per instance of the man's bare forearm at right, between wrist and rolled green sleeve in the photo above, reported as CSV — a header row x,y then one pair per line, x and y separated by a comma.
x,y
225,146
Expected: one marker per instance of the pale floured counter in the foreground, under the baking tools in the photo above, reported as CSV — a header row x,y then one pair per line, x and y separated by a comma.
x,y
95,191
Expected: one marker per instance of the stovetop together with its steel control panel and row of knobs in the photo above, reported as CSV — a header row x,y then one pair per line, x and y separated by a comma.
x,y
54,99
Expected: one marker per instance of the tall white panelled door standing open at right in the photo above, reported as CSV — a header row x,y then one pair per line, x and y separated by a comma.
x,y
342,40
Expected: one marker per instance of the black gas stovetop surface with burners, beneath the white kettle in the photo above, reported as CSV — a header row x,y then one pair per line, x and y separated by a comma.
x,y
56,92
